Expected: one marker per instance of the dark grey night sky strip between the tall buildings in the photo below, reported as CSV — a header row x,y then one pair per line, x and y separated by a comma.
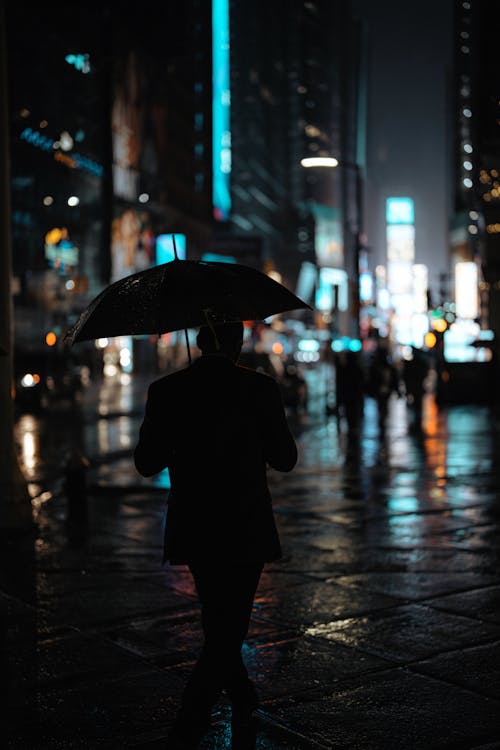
x,y
409,133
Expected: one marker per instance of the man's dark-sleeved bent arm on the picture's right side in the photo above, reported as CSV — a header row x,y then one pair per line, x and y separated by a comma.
x,y
279,444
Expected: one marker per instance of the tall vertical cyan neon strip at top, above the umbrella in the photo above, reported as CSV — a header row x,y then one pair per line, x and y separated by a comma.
x,y
221,110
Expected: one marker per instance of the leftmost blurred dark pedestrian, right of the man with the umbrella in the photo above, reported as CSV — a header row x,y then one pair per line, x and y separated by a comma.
x,y
350,390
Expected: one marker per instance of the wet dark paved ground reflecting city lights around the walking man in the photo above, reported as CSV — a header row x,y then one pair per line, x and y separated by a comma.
x,y
380,628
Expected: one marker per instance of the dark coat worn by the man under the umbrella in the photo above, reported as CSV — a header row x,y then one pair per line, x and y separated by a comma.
x,y
217,427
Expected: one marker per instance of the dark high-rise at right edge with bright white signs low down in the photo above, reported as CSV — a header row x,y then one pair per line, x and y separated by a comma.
x,y
470,289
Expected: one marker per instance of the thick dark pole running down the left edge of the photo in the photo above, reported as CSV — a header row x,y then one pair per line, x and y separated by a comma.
x,y
15,502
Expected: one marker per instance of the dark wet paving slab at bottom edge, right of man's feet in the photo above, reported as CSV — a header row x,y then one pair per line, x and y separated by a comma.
x,y
392,710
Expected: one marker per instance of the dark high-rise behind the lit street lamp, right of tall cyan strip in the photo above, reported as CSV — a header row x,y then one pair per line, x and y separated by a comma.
x,y
296,92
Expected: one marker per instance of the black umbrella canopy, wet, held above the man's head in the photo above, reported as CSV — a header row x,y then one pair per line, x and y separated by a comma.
x,y
182,294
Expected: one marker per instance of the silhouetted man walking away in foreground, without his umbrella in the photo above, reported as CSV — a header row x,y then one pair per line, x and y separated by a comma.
x,y
218,427
